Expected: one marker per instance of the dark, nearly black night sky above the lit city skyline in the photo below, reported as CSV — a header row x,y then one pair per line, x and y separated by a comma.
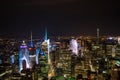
x,y
60,17
